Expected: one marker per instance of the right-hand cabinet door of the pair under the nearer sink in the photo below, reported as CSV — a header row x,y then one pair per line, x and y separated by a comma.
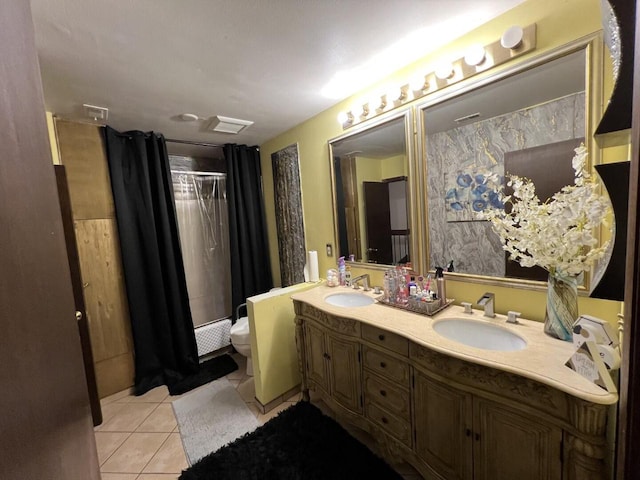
x,y
510,446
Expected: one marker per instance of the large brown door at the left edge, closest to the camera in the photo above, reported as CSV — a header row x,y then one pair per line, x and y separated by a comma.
x,y
46,423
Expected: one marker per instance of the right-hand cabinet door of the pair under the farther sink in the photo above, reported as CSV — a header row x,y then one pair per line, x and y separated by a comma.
x,y
345,376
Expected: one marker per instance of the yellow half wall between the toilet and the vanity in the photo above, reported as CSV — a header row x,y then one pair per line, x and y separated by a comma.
x,y
273,343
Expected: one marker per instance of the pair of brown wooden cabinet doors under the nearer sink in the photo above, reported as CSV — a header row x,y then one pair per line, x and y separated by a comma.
x,y
463,436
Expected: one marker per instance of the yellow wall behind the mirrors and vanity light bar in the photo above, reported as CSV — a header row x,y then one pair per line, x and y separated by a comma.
x,y
557,23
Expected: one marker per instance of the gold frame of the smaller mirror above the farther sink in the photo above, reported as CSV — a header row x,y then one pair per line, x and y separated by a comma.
x,y
413,204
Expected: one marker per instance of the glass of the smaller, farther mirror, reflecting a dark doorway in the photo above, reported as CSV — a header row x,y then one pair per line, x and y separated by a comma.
x,y
370,173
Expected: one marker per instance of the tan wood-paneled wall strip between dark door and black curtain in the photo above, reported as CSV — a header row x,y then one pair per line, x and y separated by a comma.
x,y
83,154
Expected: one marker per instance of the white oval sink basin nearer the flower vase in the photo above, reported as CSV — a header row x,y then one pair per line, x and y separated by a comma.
x,y
475,333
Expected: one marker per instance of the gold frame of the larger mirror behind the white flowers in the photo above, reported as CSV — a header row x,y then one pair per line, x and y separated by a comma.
x,y
592,45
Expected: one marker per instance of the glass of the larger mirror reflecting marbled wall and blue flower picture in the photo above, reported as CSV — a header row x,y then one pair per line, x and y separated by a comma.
x,y
526,124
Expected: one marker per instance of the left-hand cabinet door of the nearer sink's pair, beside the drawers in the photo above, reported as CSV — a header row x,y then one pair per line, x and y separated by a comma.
x,y
443,427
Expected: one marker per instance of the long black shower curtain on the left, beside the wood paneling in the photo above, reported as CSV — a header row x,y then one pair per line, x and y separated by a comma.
x,y
164,340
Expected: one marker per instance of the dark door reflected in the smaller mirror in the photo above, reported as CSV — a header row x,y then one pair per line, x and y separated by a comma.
x,y
378,222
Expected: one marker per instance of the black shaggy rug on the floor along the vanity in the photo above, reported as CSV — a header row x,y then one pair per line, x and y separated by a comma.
x,y
299,444
